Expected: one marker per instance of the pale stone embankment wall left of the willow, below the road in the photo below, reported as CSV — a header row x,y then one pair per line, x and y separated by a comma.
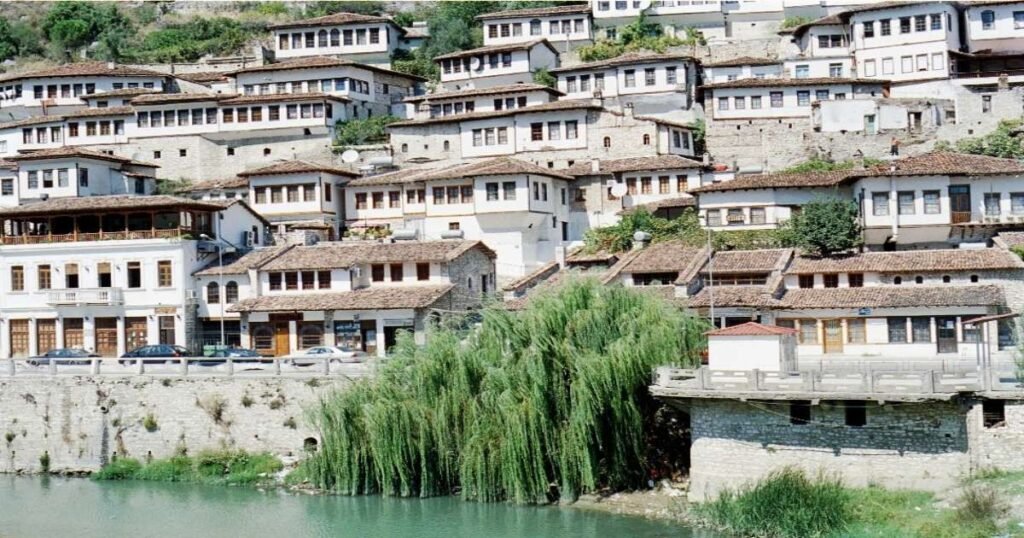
x,y
82,423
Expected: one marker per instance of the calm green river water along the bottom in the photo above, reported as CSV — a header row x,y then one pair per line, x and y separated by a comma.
x,y
45,508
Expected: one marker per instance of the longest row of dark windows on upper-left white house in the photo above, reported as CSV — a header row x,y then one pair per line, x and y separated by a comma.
x,y
185,118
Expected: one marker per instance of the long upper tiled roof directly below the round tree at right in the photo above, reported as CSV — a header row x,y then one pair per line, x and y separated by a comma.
x,y
910,262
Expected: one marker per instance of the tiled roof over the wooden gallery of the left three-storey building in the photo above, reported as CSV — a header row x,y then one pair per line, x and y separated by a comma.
x,y
101,203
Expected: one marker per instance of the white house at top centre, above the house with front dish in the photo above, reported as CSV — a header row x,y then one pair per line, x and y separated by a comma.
x,y
567,27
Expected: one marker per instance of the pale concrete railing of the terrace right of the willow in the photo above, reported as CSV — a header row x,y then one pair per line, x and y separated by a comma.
x,y
866,382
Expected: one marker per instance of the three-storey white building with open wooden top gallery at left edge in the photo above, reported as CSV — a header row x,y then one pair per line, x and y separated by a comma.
x,y
107,273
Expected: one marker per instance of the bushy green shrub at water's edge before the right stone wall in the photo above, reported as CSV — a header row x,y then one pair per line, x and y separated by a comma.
x,y
785,505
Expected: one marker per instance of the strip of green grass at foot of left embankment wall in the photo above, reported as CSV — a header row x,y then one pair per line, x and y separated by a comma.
x,y
211,468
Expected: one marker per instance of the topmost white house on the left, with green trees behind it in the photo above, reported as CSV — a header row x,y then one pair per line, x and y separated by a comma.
x,y
368,39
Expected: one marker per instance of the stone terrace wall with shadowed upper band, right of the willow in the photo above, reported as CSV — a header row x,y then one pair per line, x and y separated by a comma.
x,y
912,446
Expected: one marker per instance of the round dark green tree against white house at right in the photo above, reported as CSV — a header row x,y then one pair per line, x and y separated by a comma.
x,y
826,227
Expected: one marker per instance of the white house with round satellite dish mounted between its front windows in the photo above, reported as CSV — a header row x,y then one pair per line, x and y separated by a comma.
x,y
496,65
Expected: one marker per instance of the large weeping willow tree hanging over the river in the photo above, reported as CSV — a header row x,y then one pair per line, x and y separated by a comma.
x,y
549,401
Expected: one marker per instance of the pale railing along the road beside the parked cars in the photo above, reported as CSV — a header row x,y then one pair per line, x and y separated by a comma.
x,y
185,367
